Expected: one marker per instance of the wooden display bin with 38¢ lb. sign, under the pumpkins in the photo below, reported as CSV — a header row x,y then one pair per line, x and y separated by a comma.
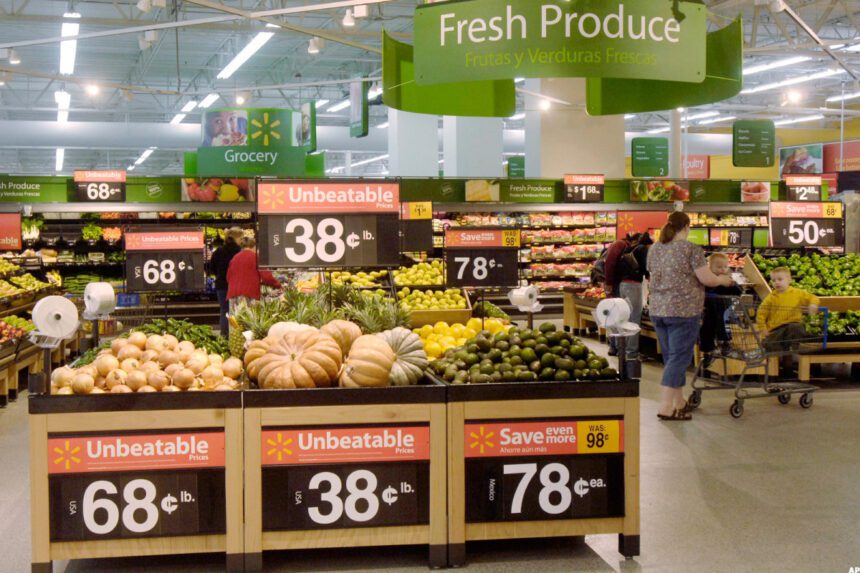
x,y
337,467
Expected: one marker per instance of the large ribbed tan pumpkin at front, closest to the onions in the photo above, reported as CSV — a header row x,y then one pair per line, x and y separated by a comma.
x,y
305,359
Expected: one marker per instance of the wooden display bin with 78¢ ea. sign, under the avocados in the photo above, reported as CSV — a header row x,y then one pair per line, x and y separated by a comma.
x,y
543,459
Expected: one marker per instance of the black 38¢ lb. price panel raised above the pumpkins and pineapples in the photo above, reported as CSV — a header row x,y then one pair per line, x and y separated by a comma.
x,y
334,240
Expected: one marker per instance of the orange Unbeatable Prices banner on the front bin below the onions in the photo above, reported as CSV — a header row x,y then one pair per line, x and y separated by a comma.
x,y
119,453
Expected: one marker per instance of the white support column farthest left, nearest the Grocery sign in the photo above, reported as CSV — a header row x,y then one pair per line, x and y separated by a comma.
x,y
413,144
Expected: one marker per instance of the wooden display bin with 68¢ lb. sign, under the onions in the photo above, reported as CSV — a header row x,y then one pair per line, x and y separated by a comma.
x,y
135,475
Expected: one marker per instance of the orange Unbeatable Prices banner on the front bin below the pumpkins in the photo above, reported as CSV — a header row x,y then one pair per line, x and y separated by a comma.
x,y
290,446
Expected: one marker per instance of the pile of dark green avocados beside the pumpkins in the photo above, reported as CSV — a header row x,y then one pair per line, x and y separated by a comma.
x,y
522,355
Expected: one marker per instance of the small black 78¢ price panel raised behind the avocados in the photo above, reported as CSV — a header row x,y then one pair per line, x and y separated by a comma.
x,y
481,267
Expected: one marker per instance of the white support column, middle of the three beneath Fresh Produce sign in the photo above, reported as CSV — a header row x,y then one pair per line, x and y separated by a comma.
x,y
473,146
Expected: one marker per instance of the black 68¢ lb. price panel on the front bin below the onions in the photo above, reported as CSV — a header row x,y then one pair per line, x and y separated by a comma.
x,y
136,504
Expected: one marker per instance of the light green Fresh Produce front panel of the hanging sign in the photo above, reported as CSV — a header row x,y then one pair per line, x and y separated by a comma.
x,y
472,40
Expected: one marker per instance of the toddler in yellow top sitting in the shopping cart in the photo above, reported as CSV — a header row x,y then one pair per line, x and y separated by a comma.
x,y
780,315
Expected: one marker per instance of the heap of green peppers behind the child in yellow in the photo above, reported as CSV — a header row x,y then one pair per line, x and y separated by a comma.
x,y
822,275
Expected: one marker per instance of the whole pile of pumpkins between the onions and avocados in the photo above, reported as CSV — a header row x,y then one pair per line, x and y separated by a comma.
x,y
338,354
